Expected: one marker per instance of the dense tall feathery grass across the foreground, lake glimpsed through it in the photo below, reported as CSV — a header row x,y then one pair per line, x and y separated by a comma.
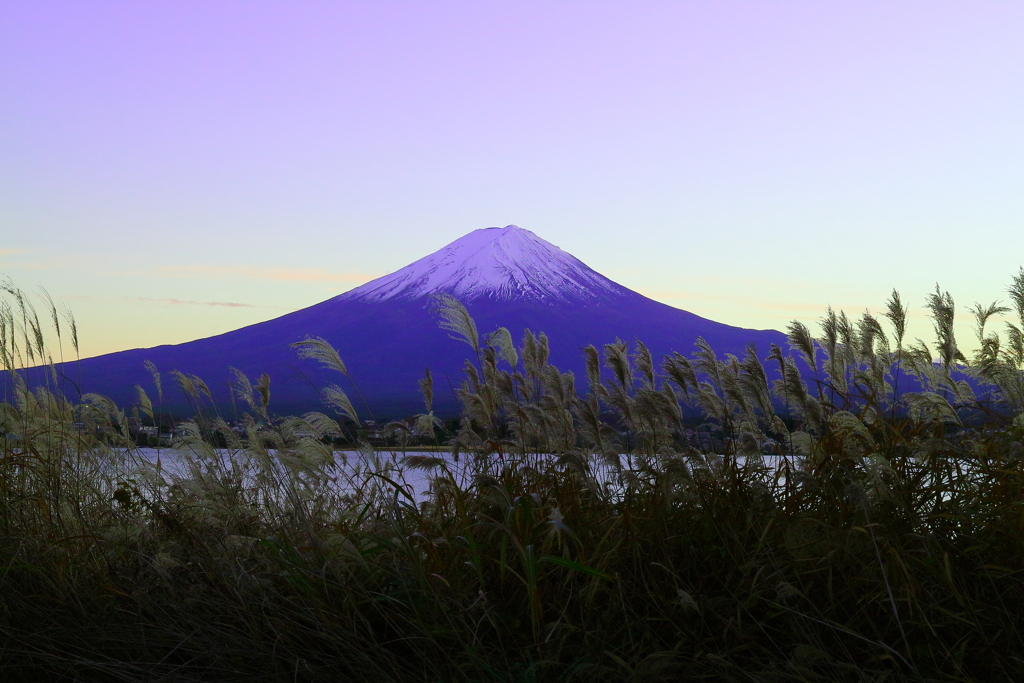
x,y
566,538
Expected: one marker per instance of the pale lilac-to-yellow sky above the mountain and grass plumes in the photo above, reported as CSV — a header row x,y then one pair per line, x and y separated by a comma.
x,y
179,170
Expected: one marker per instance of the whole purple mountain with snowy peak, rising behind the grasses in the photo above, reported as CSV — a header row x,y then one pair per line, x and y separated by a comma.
x,y
387,331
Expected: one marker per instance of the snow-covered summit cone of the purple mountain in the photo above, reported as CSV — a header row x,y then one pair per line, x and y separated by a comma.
x,y
503,264
